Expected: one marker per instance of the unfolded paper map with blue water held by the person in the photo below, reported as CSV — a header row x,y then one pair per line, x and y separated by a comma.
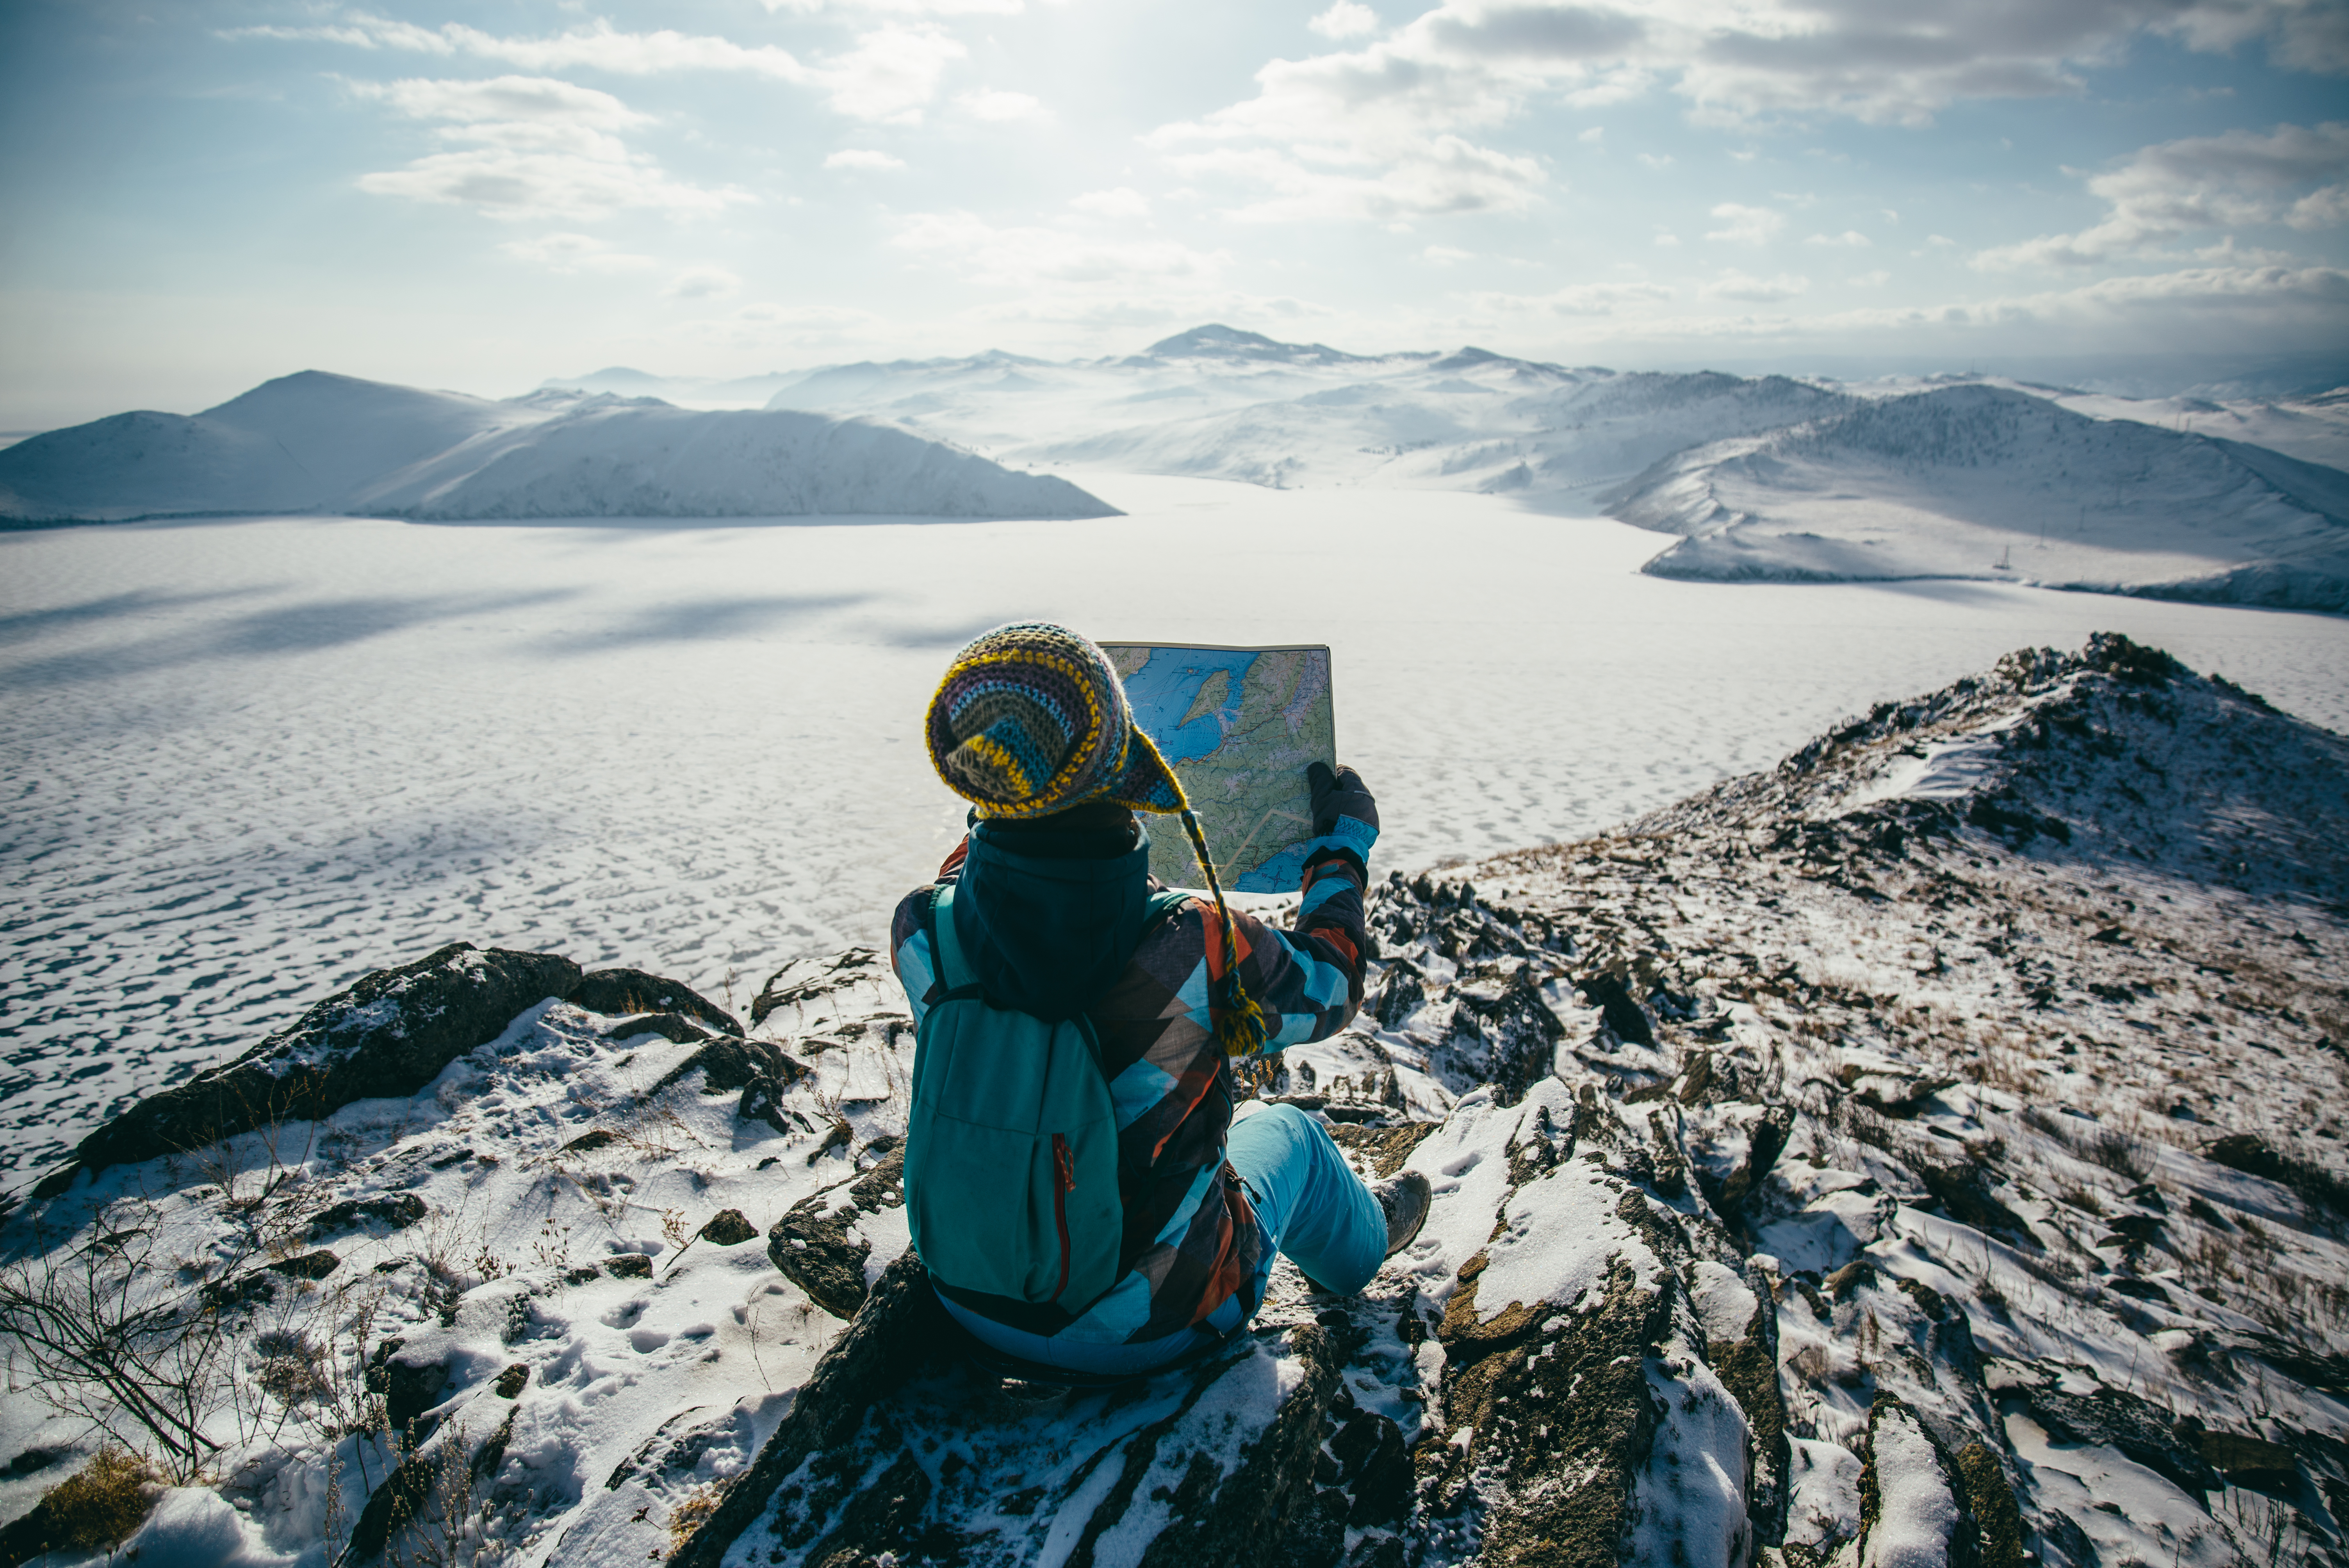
x,y
1239,726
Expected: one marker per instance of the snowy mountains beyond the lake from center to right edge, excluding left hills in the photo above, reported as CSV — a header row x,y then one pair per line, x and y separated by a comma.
x,y
1765,478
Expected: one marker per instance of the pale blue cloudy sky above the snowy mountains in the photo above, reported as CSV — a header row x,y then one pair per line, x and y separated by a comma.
x,y
208,194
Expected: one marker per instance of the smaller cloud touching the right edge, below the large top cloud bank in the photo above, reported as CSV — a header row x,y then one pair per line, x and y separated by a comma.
x,y
2202,184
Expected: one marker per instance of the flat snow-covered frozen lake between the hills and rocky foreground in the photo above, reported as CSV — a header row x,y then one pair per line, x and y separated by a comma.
x,y
250,759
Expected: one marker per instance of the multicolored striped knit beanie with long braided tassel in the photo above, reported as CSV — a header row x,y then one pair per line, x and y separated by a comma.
x,y
1030,722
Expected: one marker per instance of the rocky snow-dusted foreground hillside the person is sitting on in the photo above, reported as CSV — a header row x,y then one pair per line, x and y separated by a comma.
x,y
1876,1158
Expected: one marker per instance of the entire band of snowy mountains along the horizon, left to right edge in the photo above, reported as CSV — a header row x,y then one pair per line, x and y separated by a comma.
x,y
1763,478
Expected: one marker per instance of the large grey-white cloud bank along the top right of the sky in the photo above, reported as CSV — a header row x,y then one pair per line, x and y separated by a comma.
x,y
1406,126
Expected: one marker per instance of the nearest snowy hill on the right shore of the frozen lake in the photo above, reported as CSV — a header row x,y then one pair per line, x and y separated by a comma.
x,y
1993,482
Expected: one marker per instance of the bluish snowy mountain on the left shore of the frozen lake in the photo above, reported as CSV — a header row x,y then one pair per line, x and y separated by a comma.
x,y
337,445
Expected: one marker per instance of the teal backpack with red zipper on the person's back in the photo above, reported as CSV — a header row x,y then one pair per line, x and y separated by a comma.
x,y
1011,1151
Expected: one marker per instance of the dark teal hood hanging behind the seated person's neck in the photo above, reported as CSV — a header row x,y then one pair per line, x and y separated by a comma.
x,y
1049,935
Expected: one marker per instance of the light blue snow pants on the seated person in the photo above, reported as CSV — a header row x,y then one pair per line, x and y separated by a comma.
x,y
1310,1205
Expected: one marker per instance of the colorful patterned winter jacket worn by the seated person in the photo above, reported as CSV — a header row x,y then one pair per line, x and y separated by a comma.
x,y
1030,924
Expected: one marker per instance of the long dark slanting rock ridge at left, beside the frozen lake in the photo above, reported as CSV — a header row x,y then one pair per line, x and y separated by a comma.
x,y
386,1036
